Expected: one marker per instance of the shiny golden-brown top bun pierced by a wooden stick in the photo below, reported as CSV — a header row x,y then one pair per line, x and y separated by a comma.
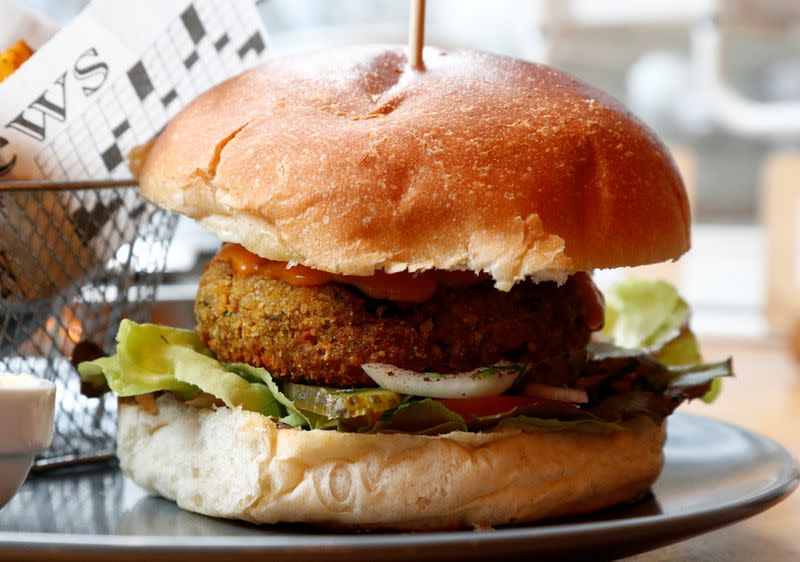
x,y
350,161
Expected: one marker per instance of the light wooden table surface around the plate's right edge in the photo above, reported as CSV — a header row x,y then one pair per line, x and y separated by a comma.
x,y
765,397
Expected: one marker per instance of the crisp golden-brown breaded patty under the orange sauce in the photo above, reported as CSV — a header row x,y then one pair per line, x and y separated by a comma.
x,y
323,334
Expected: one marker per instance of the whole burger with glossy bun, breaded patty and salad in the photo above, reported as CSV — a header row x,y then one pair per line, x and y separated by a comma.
x,y
401,330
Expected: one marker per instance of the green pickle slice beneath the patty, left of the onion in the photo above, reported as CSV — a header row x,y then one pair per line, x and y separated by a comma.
x,y
337,403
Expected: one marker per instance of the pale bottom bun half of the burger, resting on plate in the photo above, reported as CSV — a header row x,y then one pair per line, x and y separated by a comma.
x,y
237,464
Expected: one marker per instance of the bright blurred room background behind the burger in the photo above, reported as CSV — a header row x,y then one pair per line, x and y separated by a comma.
x,y
719,81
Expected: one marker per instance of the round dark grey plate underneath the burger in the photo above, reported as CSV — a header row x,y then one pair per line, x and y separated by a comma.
x,y
715,474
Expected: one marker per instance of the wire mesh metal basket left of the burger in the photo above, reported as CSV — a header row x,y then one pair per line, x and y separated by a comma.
x,y
73,263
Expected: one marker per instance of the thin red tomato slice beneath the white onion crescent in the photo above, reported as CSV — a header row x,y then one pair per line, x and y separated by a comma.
x,y
469,408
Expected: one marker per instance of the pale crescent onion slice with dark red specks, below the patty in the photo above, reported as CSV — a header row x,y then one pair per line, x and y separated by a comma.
x,y
478,383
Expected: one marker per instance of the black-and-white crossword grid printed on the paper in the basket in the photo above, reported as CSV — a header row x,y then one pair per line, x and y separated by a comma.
x,y
139,104
